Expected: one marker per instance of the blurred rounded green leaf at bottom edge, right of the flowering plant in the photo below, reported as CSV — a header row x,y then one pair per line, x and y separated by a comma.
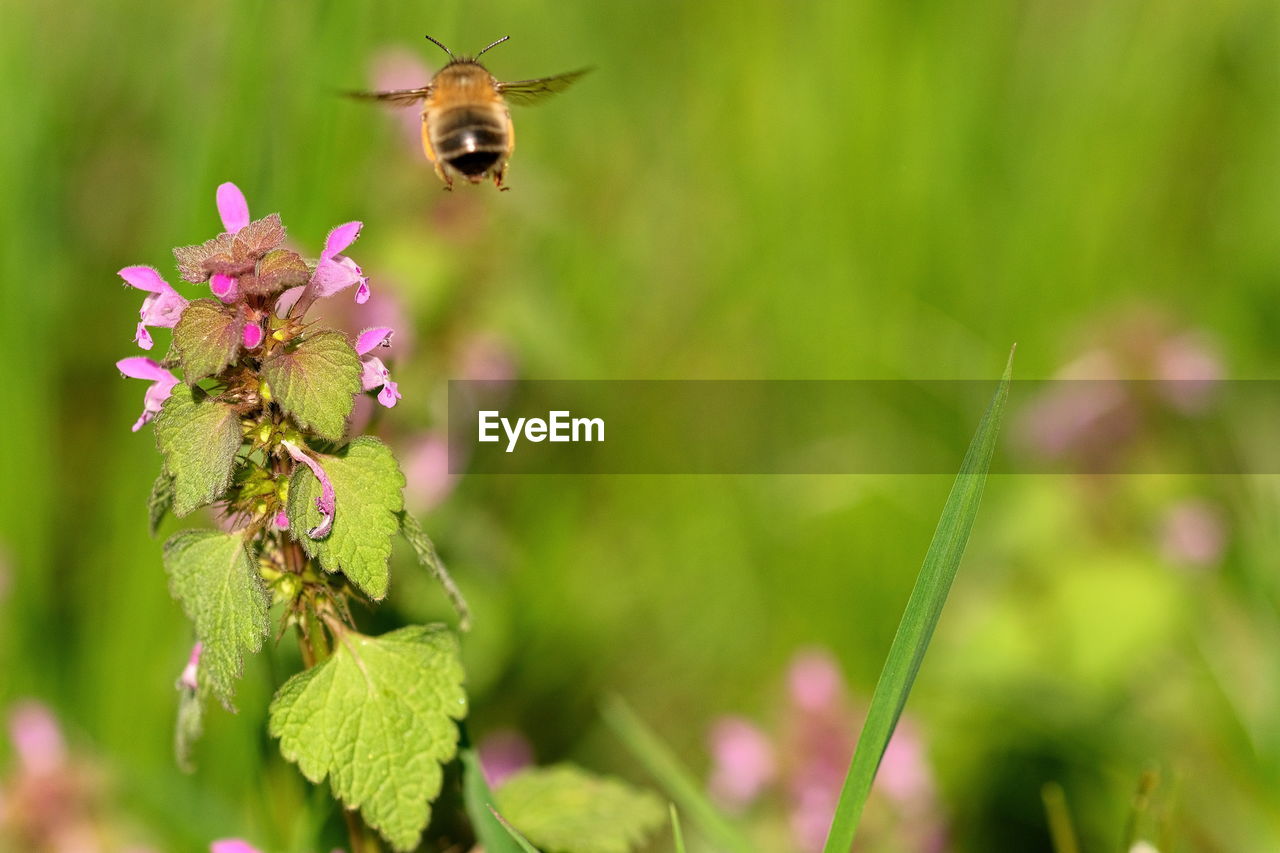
x,y
566,810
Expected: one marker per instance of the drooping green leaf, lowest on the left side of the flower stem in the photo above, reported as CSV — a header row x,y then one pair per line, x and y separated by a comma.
x,y
214,578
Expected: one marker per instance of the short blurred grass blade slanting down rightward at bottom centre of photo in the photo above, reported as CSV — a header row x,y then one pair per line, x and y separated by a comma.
x,y
662,764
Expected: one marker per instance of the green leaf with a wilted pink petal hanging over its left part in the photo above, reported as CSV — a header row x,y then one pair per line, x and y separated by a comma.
x,y
367,485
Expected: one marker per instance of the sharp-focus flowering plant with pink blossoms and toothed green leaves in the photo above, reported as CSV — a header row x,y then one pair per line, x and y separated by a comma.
x,y
257,427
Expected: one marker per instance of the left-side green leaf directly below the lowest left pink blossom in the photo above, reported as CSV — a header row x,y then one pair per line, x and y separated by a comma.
x,y
199,440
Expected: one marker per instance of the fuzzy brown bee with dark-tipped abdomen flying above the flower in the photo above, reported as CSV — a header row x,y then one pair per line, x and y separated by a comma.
x,y
467,122
